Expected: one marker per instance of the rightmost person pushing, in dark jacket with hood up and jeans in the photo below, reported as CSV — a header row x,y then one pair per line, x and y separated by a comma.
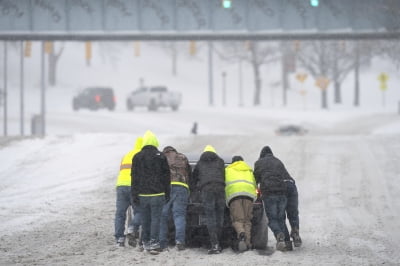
x,y
270,173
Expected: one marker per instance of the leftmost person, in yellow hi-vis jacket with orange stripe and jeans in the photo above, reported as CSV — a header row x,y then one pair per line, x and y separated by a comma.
x,y
124,199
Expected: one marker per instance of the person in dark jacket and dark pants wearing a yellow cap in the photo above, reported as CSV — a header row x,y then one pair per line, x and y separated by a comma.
x,y
209,178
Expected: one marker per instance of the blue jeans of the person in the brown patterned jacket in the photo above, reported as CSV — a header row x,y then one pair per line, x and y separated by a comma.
x,y
177,205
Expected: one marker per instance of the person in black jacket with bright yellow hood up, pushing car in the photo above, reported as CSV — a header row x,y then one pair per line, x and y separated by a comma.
x,y
150,189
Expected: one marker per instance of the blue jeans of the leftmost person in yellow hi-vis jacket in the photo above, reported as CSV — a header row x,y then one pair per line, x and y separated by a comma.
x,y
122,204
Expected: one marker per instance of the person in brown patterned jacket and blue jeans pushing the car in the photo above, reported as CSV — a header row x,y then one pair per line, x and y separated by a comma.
x,y
180,175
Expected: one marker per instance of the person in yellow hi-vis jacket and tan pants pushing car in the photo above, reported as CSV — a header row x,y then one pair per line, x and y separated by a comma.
x,y
240,192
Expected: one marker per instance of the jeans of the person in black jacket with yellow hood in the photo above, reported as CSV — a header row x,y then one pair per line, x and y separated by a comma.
x,y
150,209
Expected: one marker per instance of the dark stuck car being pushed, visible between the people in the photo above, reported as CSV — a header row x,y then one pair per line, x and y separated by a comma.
x,y
196,229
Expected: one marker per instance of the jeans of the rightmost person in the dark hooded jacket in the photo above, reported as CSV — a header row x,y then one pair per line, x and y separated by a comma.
x,y
275,206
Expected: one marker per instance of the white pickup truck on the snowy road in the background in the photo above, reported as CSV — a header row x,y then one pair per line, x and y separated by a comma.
x,y
153,98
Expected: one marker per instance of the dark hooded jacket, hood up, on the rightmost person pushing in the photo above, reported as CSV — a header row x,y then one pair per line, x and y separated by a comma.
x,y
270,173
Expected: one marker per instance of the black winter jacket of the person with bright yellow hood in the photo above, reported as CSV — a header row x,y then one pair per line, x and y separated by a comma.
x,y
150,173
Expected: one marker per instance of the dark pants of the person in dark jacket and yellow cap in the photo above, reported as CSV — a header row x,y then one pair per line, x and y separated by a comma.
x,y
214,208
